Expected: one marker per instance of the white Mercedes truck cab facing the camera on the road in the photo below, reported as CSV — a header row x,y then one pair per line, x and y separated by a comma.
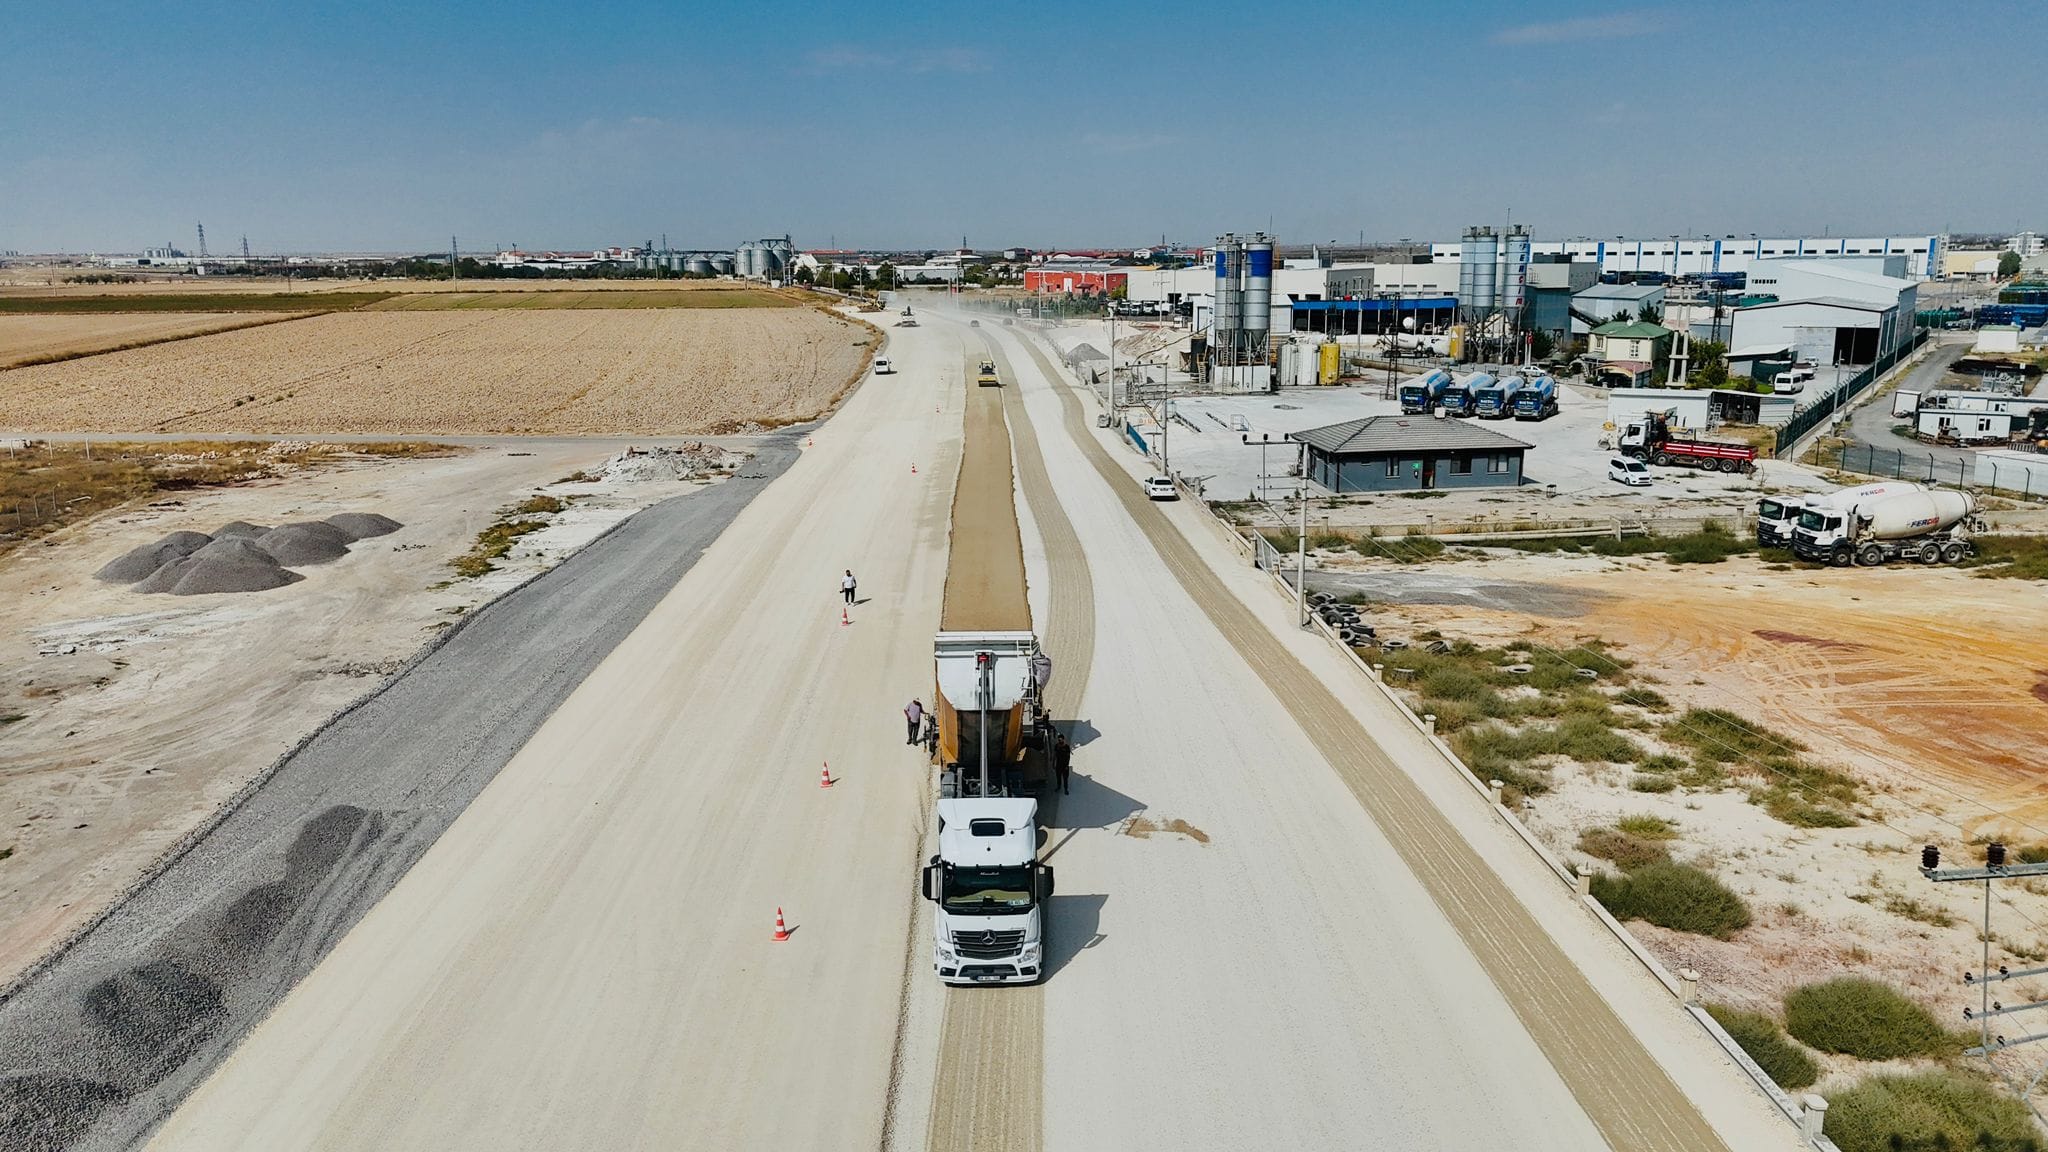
x,y
988,893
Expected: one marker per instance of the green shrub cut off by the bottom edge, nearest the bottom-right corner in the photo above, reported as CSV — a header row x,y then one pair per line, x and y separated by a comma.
x,y
1928,1112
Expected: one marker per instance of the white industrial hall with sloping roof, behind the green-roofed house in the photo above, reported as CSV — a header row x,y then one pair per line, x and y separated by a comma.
x,y
1826,313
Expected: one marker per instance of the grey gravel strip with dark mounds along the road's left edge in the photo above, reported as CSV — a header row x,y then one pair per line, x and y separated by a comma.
x,y
103,1040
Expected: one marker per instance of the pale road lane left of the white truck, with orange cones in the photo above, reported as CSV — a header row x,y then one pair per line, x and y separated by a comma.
x,y
585,958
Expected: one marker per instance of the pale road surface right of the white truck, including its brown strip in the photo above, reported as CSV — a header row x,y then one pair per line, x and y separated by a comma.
x,y
1267,936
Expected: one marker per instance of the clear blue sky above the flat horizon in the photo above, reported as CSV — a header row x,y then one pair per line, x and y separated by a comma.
x,y
394,126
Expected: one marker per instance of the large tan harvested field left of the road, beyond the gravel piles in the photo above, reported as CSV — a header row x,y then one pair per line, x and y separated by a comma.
x,y
488,372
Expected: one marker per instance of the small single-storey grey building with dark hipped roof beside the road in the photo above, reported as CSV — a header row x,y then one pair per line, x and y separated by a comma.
x,y
1410,454
